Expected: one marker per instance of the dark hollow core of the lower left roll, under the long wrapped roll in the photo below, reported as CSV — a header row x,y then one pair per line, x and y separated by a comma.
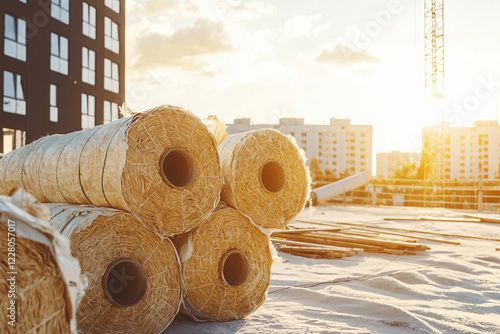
x,y
124,282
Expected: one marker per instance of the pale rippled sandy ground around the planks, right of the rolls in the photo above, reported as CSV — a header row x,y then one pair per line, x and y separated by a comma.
x,y
448,289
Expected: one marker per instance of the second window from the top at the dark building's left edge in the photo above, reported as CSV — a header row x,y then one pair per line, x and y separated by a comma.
x,y
14,93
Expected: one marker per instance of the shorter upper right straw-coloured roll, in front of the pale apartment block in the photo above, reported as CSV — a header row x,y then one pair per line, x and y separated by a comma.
x,y
265,176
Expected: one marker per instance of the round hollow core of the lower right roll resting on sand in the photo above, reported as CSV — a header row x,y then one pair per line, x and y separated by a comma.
x,y
234,267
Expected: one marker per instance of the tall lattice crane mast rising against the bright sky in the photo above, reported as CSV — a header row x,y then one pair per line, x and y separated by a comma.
x,y
434,48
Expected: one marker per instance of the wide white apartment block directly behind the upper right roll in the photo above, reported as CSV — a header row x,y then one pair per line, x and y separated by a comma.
x,y
338,147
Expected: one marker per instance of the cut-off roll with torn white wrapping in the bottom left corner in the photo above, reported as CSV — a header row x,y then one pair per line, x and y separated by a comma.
x,y
41,283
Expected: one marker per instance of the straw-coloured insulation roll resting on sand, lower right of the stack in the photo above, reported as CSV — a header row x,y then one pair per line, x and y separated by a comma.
x,y
226,267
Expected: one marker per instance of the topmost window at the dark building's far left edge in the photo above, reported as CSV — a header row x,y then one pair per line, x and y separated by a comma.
x,y
15,38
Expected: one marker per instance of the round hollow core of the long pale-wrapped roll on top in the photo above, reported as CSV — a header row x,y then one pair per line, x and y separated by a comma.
x,y
177,168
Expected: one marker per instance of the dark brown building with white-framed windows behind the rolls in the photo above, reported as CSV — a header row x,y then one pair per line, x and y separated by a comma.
x,y
62,67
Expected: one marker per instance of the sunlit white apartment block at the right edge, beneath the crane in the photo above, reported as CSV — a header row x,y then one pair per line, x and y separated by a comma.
x,y
463,152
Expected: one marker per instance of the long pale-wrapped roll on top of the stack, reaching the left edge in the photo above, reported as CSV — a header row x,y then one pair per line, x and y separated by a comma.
x,y
162,165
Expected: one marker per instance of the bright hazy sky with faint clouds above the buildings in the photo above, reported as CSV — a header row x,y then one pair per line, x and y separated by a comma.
x,y
316,59
